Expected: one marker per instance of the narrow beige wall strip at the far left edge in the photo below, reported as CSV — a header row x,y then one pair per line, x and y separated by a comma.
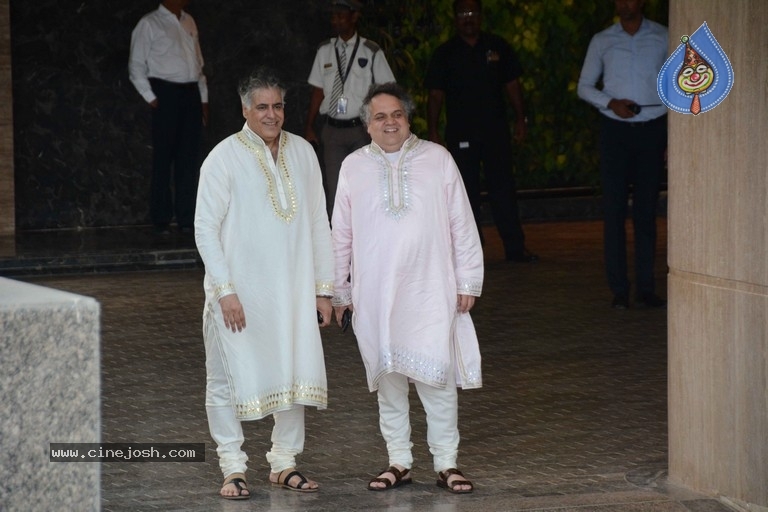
x,y
7,208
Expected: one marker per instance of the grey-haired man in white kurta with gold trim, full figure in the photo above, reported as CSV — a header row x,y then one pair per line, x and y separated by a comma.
x,y
262,231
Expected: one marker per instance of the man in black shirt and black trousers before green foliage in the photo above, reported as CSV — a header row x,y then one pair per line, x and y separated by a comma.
x,y
472,73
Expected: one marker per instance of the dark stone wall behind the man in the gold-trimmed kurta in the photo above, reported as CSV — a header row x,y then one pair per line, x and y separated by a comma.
x,y
81,131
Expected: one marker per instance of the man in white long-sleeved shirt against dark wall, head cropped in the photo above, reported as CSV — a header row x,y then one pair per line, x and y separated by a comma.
x,y
166,67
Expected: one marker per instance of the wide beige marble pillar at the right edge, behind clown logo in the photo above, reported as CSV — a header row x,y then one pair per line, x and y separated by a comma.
x,y
718,259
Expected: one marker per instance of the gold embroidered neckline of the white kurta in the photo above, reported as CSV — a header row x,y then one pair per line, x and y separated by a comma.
x,y
288,213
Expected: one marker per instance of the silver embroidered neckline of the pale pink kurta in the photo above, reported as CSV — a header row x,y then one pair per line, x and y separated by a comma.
x,y
394,179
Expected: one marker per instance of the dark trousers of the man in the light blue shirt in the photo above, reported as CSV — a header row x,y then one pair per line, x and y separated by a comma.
x,y
631,159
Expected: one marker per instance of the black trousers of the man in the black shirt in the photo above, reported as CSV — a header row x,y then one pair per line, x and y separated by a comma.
x,y
494,157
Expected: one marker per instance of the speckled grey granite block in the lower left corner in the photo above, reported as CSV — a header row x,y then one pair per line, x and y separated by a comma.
x,y
49,393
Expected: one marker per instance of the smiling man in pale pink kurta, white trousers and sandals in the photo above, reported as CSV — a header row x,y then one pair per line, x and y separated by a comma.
x,y
403,230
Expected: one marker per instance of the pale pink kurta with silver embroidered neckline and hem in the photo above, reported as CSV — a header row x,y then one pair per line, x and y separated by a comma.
x,y
406,234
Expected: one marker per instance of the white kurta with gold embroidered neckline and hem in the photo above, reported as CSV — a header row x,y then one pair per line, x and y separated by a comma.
x,y
262,231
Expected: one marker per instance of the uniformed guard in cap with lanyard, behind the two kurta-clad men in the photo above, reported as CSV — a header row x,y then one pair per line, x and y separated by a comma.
x,y
345,67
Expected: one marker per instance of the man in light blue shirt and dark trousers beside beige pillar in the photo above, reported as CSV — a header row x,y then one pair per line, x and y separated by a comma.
x,y
626,58
